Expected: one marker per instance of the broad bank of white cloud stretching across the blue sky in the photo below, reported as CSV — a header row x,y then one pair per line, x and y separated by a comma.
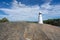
x,y
21,11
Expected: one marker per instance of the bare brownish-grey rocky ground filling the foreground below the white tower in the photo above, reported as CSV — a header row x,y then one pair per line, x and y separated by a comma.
x,y
28,31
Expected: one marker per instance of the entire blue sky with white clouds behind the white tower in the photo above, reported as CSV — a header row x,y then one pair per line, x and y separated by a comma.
x,y
27,10
